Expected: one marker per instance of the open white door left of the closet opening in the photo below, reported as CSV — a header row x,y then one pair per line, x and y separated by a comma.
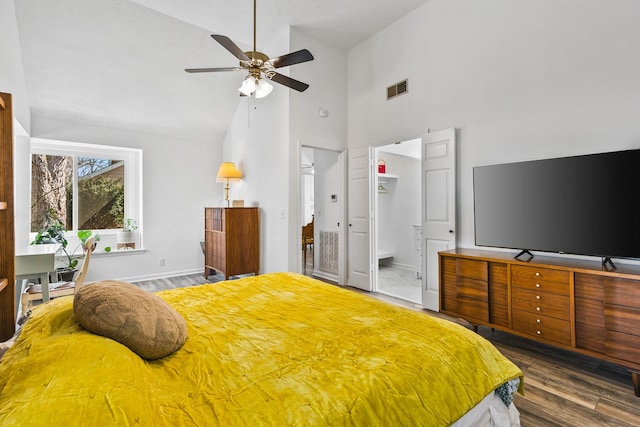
x,y
359,218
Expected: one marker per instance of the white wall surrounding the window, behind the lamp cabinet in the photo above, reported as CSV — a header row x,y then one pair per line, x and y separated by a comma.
x,y
179,177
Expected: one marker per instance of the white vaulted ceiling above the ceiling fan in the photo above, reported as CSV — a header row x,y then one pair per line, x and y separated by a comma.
x,y
120,63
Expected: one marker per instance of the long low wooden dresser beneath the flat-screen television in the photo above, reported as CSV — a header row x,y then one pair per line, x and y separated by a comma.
x,y
573,304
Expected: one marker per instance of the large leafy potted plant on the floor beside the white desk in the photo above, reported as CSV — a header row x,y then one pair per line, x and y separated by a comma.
x,y
54,232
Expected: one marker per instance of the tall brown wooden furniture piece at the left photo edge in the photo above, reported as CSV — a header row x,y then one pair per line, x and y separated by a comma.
x,y
7,241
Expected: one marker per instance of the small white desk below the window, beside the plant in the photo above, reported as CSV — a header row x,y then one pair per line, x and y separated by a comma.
x,y
36,261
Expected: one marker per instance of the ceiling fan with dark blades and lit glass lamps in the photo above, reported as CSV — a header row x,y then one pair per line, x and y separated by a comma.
x,y
259,66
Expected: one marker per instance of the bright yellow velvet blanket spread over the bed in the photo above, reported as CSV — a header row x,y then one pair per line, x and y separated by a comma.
x,y
272,350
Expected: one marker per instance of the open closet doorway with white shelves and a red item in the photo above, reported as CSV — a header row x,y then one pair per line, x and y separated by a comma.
x,y
397,220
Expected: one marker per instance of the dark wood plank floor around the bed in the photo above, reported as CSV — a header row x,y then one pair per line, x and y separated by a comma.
x,y
562,389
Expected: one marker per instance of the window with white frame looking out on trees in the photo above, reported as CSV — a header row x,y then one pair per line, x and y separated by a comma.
x,y
84,186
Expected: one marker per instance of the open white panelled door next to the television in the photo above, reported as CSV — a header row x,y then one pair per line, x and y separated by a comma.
x,y
438,209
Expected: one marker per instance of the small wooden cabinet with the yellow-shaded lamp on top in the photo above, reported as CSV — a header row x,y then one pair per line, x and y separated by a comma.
x,y
231,241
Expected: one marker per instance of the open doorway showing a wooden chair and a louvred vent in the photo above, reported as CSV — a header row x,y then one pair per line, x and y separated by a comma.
x,y
322,211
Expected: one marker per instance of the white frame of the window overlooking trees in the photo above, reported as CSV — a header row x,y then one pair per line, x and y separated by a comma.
x,y
132,158
